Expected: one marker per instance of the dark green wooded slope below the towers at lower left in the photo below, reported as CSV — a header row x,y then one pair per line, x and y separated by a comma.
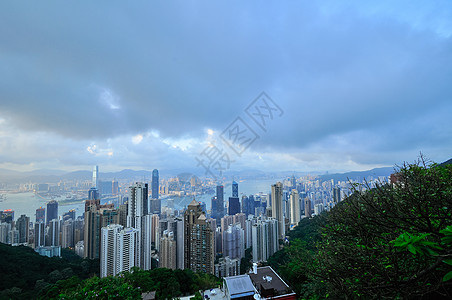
x,y
27,275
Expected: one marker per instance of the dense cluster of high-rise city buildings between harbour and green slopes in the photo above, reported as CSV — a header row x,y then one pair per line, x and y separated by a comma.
x,y
137,232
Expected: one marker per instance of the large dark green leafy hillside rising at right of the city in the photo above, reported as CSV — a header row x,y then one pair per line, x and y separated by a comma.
x,y
392,241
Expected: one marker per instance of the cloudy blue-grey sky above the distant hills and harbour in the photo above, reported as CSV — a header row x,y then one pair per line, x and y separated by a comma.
x,y
348,85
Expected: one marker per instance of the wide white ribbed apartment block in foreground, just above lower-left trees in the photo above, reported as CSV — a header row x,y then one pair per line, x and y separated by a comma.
x,y
118,250
